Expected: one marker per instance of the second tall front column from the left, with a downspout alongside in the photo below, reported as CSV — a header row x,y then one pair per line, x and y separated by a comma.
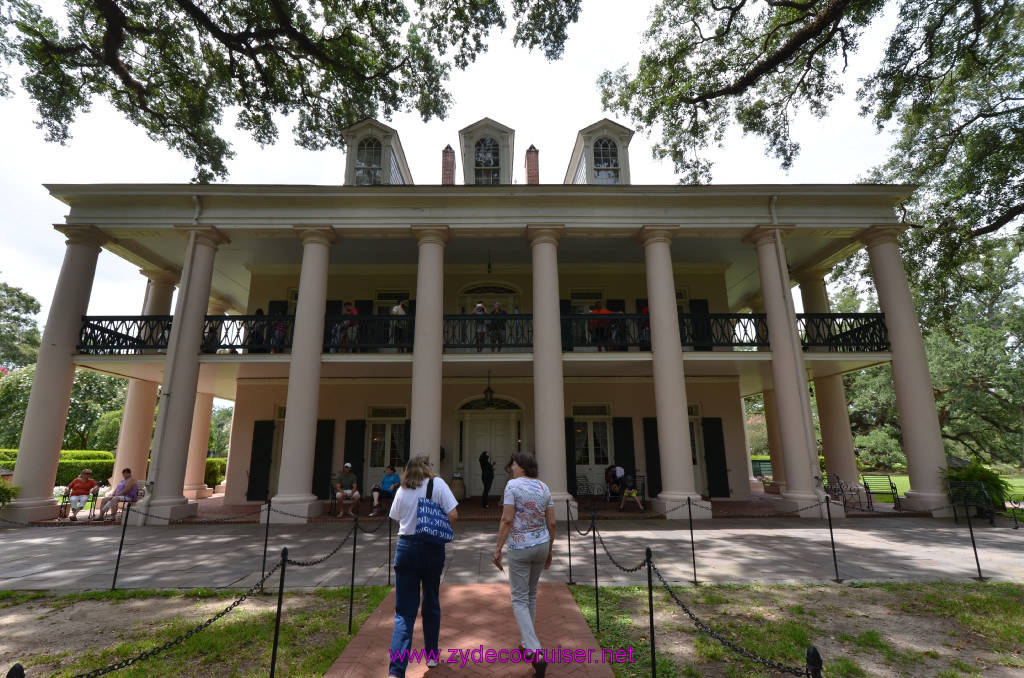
x,y
166,500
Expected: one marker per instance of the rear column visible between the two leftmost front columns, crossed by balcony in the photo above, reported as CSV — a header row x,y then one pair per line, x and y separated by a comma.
x,y
141,401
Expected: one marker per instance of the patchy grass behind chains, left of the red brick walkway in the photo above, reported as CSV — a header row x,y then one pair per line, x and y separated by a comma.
x,y
314,632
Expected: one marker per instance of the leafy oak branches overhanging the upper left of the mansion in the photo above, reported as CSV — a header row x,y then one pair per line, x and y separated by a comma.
x,y
175,67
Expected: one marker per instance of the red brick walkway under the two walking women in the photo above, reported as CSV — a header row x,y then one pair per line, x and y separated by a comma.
x,y
476,615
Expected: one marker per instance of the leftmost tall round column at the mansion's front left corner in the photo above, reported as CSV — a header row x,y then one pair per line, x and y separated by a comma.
x,y
47,416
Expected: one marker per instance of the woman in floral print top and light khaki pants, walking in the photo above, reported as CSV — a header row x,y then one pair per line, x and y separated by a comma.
x,y
529,526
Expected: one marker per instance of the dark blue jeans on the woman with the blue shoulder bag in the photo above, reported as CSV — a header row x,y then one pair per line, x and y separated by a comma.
x,y
416,565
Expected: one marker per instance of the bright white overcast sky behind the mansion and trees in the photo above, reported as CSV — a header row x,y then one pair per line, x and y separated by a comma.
x,y
546,103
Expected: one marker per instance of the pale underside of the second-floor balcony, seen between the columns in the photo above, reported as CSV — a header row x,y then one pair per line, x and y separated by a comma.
x,y
221,374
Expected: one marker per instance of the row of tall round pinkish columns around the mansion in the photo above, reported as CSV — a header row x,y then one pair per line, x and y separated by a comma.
x,y
180,441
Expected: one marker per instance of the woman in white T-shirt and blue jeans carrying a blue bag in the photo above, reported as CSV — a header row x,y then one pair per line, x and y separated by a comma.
x,y
417,564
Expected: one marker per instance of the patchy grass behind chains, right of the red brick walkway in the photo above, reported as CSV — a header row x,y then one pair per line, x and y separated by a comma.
x,y
862,630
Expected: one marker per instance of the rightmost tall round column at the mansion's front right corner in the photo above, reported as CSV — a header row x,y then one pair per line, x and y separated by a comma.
x,y
915,398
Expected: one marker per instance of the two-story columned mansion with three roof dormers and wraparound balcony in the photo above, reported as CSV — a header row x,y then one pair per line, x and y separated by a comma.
x,y
344,322
